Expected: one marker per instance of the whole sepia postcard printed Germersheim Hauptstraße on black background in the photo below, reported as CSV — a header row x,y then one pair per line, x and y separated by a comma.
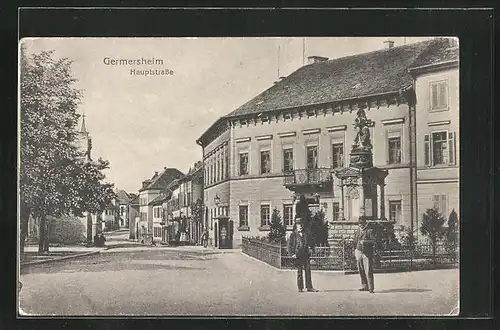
x,y
252,176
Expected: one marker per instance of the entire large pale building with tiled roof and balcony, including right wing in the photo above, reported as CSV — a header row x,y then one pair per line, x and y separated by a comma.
x,y
304,122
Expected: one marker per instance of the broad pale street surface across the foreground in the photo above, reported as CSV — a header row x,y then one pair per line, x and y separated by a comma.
x,y
159,281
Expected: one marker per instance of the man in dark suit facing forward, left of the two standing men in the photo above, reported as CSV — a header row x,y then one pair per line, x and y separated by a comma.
x,y
300,246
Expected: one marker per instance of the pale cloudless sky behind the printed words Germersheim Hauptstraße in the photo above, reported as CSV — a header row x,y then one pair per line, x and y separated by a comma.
x,y
141,124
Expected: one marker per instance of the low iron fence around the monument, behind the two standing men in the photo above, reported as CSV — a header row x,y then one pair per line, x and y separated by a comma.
x,y
341,257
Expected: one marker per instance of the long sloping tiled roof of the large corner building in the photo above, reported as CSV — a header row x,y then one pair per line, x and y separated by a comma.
x,y
348,77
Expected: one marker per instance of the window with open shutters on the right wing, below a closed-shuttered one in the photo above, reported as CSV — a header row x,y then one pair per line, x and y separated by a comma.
x,y
440,148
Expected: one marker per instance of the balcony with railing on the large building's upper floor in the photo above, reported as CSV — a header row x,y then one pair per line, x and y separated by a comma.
x,y
316,178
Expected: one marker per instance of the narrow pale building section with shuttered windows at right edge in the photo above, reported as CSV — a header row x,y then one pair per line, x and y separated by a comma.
x,y
437,131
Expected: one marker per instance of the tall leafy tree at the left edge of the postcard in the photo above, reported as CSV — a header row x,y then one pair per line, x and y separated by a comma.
x,y
54,180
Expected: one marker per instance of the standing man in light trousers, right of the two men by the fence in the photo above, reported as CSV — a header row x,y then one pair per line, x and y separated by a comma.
x,y
365,241
